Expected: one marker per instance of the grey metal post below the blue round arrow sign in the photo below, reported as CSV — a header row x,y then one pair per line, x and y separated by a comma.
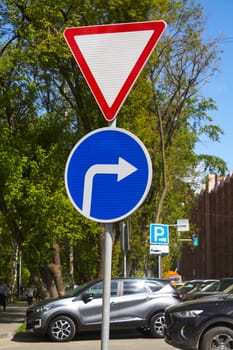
x,y
107,287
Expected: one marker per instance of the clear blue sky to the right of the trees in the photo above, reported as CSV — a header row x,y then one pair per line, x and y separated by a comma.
x,y
219,24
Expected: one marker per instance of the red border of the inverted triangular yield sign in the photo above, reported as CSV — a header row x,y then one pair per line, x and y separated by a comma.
x,y
110,112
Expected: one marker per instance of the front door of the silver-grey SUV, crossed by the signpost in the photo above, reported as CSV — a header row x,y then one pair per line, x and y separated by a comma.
x,y
91,312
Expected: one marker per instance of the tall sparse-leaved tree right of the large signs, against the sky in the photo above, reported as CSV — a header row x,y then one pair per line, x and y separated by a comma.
x,y
171,118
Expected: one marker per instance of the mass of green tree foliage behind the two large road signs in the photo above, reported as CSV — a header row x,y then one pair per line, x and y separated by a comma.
x,y
46,107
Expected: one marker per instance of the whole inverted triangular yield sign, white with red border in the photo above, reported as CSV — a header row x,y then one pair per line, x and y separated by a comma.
x,y
111,57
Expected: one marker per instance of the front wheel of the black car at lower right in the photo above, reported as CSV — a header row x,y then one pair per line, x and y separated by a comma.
x,y
218,338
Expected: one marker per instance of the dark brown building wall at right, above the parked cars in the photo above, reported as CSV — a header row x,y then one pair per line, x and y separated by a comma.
x,y
213,217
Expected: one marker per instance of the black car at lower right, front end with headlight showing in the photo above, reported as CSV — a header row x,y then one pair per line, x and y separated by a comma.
x,y
202,324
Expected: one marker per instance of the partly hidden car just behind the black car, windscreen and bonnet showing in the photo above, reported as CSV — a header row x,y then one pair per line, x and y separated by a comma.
x,y
224,285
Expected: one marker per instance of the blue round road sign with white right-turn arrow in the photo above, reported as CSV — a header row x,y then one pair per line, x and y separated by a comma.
x,y
108,174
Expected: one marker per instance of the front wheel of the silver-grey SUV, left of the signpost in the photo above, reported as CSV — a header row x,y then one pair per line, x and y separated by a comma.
x,y
61,329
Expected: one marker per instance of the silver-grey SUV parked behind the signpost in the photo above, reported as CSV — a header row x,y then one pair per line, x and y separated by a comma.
x,y
135,303
